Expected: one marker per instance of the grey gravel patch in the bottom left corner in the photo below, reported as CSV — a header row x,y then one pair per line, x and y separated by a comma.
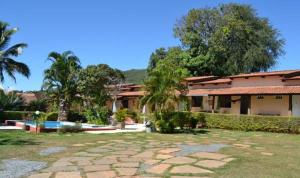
x,y
13,168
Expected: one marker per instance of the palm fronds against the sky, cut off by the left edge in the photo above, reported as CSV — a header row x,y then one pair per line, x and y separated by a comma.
x,y
7,64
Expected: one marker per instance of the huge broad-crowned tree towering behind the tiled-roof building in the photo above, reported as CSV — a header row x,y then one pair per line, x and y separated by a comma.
x,y
227,40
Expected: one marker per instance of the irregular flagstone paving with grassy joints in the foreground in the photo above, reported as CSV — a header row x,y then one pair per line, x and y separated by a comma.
x,y
147,158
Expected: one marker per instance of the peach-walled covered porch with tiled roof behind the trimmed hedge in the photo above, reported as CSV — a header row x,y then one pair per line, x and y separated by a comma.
x,y
279,100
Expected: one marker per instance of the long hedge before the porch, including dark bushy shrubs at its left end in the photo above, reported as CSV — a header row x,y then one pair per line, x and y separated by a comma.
x,y
167,121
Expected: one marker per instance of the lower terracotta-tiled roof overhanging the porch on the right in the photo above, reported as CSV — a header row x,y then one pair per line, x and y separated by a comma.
x,y
267,90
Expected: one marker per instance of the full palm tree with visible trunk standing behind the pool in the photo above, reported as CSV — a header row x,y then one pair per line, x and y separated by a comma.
x,y
60,80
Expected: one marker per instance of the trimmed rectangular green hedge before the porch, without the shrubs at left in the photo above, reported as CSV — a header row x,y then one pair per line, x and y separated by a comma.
x,y
282,124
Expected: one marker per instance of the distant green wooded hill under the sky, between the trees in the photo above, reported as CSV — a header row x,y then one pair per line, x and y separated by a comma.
x,y
135,76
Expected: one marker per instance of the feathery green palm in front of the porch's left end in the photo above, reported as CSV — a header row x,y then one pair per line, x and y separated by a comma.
x,y
164,85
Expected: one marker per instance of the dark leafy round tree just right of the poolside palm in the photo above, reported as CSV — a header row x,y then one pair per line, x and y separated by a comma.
x,y
94,81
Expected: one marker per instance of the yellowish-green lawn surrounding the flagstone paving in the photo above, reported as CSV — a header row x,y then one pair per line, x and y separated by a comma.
x,y
250,163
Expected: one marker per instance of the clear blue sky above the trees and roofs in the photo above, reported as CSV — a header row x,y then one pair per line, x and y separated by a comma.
x,y
121,33
